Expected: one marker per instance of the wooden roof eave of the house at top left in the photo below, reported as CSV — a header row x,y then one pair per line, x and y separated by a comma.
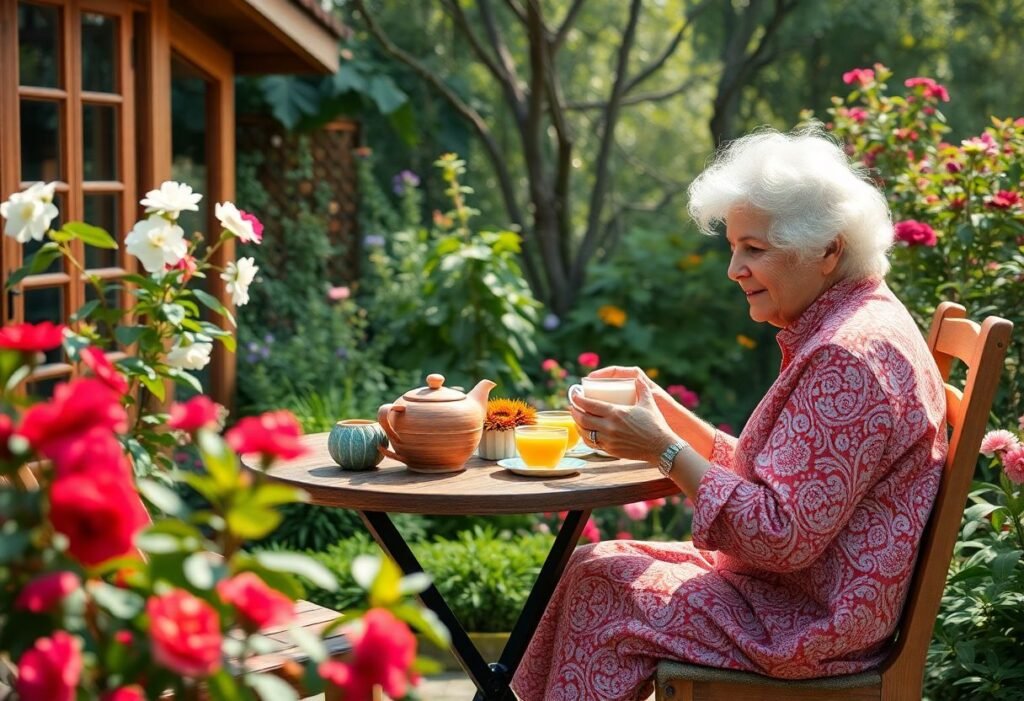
x,y
269,36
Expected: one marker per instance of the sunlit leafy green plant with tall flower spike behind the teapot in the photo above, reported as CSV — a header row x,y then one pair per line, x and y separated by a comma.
x,y
448,299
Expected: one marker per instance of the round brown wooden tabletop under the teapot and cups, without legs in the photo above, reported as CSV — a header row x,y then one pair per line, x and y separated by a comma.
x,y
482,489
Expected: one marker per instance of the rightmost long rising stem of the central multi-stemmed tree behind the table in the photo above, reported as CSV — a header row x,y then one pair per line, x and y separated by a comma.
x,y
598,196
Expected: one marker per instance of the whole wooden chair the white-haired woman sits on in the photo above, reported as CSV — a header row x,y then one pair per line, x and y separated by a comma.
x,y
901,677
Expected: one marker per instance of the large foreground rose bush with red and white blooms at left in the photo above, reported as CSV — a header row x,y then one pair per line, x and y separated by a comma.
x,y
113,588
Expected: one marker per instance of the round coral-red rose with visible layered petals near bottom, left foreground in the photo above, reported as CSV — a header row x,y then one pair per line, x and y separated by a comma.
x,y
185,634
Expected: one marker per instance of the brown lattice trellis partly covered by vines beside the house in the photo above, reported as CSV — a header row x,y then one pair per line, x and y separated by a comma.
x,y
332,148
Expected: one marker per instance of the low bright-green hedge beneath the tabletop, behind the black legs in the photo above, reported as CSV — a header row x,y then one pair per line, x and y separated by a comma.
x,y
485,578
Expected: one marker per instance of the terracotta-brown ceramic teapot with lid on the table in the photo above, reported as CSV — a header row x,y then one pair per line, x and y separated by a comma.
x,y
436,429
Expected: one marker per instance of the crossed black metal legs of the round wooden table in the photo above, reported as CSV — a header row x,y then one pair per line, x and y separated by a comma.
x,y
492,681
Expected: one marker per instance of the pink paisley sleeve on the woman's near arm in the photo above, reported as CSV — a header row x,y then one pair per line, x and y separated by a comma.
x,y
824,454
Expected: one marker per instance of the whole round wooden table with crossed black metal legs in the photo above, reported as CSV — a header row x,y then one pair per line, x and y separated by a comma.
x,y
483,489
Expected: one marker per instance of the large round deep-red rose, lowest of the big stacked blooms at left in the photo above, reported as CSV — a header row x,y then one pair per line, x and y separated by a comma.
x,y
101,514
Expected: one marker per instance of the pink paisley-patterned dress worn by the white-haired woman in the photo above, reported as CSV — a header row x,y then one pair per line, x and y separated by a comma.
x,y
805,530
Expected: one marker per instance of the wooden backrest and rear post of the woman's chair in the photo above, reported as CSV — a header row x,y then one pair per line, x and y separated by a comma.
x,y
983,349
